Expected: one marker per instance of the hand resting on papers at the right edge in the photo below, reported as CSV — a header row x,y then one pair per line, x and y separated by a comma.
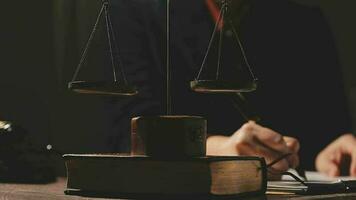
x,y
330,160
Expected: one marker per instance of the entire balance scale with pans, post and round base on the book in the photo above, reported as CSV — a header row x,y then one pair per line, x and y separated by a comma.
x,y
168,136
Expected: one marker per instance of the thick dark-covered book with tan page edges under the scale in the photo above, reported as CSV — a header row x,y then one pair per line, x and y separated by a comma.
x,y
131,176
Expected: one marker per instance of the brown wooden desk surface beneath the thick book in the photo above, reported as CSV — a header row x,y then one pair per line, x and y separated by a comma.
x,y
55,191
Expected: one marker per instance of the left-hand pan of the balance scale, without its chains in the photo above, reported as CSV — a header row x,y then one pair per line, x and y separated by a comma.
x,y
102,88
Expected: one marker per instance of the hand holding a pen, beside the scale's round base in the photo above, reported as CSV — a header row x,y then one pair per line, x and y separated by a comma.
x,y
254,140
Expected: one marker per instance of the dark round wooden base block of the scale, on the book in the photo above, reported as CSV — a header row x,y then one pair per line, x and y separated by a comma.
x,y
169,136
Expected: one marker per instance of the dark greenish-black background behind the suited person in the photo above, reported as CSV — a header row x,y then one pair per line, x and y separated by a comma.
x,y
40,46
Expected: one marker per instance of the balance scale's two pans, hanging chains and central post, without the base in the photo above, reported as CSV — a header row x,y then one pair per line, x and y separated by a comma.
x,y
123,88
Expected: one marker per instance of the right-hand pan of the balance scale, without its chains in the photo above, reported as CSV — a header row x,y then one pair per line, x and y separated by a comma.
x,y
220,86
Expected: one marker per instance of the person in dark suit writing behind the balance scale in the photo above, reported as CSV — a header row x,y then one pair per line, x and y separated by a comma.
x,y
290,48
